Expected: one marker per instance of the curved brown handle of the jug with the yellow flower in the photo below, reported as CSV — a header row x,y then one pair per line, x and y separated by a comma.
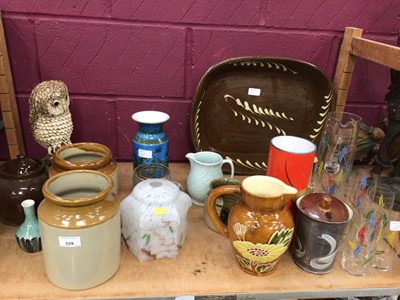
x,y
212,211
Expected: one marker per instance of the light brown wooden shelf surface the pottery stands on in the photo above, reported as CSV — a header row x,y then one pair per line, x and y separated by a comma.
x,y
205,266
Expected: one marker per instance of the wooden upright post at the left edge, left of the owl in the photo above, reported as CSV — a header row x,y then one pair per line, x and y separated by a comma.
x,y
8,104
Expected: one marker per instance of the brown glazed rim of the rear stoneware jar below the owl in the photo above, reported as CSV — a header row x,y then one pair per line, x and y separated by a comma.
x,y
78,156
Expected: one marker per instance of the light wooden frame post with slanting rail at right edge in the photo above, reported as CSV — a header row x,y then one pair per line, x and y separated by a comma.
x,y
353,46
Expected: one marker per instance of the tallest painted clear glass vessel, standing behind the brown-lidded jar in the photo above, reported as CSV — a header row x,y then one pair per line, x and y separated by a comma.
x,y
336,152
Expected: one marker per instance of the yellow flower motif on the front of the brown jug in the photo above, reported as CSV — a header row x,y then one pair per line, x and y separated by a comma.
x,y
262,253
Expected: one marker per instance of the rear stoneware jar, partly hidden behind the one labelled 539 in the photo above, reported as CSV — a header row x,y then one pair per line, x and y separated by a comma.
x,y
85,156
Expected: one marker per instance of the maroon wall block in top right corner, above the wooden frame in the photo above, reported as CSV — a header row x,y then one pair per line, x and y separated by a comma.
x,y
322,15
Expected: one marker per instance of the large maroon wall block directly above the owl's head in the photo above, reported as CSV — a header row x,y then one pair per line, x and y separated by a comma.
x,y
118,59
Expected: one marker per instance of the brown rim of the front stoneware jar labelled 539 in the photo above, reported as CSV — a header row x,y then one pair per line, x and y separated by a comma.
x,y
78,187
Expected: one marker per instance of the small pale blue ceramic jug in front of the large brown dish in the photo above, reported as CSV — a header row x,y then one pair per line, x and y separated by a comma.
x,y
205,166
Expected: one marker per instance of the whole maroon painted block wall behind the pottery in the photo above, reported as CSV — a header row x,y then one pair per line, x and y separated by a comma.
x,y
122,56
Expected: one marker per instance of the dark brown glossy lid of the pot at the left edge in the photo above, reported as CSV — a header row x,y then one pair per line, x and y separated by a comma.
x,y
22,166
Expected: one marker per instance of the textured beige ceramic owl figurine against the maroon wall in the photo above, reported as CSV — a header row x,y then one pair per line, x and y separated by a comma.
x,y
49,115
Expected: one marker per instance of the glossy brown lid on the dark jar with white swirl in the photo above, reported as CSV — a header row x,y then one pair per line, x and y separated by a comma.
x,y
323,207
